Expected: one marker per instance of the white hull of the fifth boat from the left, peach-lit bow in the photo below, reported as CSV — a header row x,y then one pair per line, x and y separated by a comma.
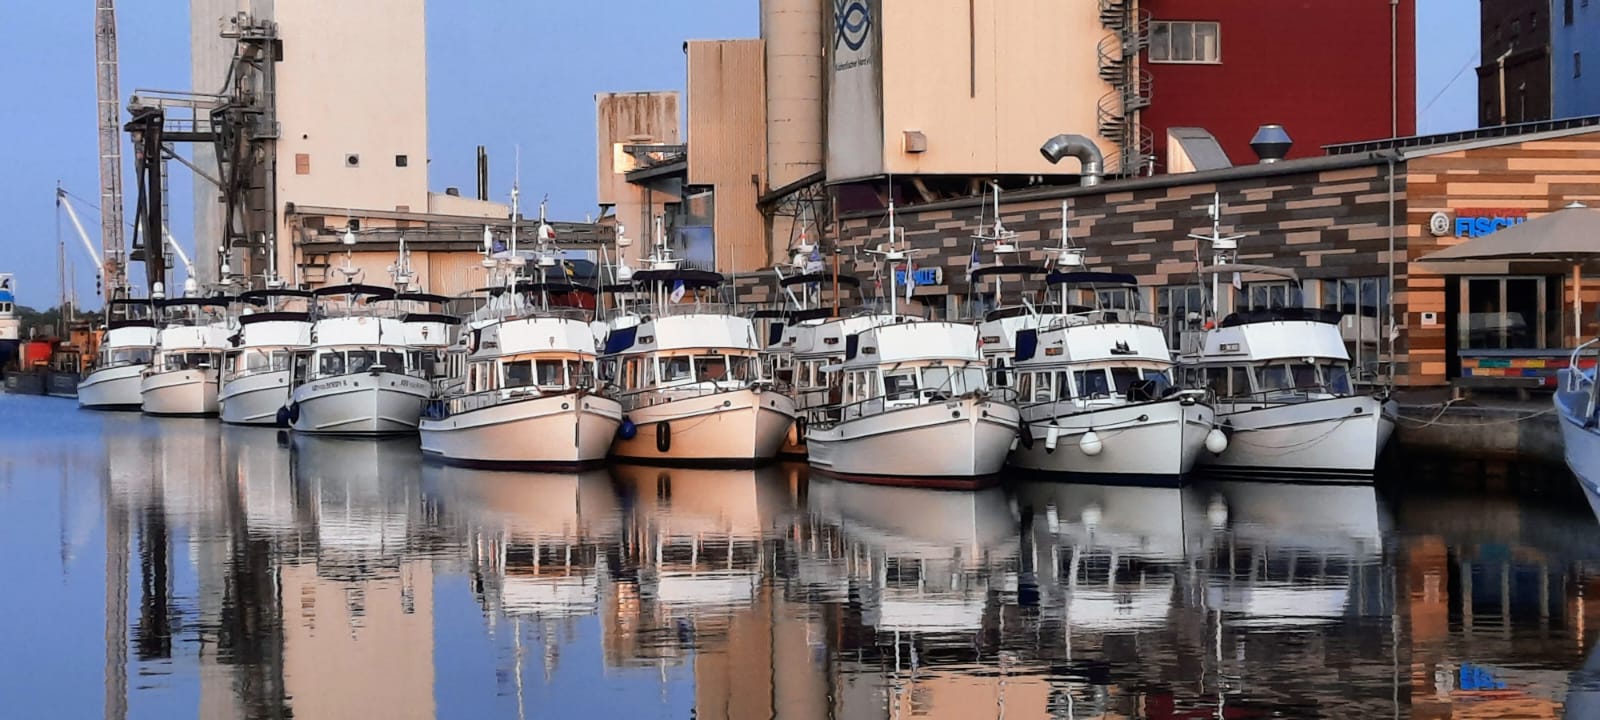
x,y
546,431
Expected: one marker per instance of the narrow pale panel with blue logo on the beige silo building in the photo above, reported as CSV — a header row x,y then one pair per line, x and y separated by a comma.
x,y
855,103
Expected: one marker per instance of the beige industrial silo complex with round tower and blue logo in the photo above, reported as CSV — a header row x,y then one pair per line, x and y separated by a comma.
x,y
839,98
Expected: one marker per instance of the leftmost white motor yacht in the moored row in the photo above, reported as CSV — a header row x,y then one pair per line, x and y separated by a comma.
x,y
124,356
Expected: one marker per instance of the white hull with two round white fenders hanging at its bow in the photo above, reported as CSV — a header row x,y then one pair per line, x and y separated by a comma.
x,y
1154,442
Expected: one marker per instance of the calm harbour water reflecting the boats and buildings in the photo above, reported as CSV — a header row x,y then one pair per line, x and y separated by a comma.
x,y
180,569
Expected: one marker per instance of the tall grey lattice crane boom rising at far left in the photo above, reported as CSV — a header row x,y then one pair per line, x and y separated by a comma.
x,y
113,257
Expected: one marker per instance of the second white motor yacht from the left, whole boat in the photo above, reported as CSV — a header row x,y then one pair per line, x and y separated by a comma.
x,y
185,377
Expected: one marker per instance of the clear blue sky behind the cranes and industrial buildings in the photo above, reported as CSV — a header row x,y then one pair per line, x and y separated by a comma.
x,y
535,68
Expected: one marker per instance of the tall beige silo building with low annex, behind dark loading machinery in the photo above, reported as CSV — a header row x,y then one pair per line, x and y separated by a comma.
x,y
342,137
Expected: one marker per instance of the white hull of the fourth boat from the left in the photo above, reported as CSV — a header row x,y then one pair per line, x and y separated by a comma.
x,y
383,404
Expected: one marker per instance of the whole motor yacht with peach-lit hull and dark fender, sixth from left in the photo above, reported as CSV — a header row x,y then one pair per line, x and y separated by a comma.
x,y
690,377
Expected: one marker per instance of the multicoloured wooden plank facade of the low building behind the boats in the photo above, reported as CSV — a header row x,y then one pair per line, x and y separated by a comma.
x,y
1326,218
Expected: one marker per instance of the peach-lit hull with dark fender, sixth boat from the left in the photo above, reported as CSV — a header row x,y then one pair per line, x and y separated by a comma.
x,y
727,428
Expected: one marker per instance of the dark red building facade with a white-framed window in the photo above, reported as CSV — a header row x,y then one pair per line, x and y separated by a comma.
x,y
1319,68
